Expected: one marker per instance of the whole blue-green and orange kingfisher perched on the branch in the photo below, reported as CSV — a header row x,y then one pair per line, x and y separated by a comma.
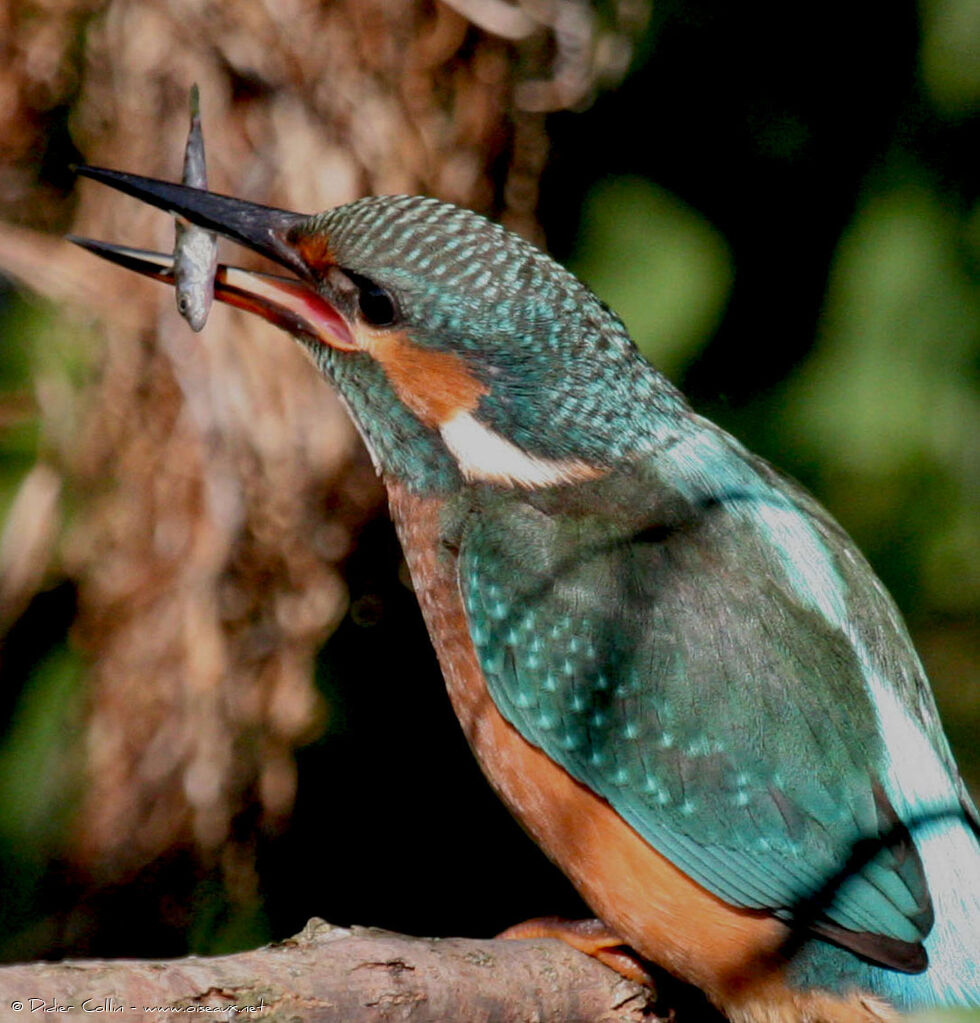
x,y
674,666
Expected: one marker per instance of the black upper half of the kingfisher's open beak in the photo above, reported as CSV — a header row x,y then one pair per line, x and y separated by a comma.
x,y
262,229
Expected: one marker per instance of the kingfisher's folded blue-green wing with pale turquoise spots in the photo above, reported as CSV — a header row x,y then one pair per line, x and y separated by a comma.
x,y
673,663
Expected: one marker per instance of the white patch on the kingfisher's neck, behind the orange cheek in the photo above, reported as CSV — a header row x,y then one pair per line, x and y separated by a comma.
x,y
485,457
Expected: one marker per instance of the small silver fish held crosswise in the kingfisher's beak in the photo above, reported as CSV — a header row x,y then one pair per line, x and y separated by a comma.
x,y
196,252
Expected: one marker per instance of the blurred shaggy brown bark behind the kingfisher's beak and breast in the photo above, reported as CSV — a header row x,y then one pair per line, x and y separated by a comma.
x,y
214,483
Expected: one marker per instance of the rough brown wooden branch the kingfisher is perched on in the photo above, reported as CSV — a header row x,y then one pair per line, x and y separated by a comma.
x,y
334,974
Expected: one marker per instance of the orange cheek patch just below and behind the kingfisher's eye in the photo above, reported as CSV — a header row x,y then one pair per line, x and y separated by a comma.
x,y
434,385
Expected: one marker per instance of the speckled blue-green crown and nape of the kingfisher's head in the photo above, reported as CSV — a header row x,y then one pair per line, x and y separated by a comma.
x,y
529,327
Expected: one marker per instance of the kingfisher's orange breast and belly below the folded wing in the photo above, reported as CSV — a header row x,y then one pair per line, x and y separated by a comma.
x,y
731,954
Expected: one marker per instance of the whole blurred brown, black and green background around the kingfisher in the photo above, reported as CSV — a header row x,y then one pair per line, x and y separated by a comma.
x,y
220,711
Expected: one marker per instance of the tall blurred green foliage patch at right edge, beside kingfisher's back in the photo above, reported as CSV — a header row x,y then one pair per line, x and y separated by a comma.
x,y
889,394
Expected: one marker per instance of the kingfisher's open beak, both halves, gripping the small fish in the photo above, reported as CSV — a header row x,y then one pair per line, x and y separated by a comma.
x,y
294,305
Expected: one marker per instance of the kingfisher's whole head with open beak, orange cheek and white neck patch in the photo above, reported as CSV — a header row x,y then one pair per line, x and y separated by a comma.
x,y
464,353
